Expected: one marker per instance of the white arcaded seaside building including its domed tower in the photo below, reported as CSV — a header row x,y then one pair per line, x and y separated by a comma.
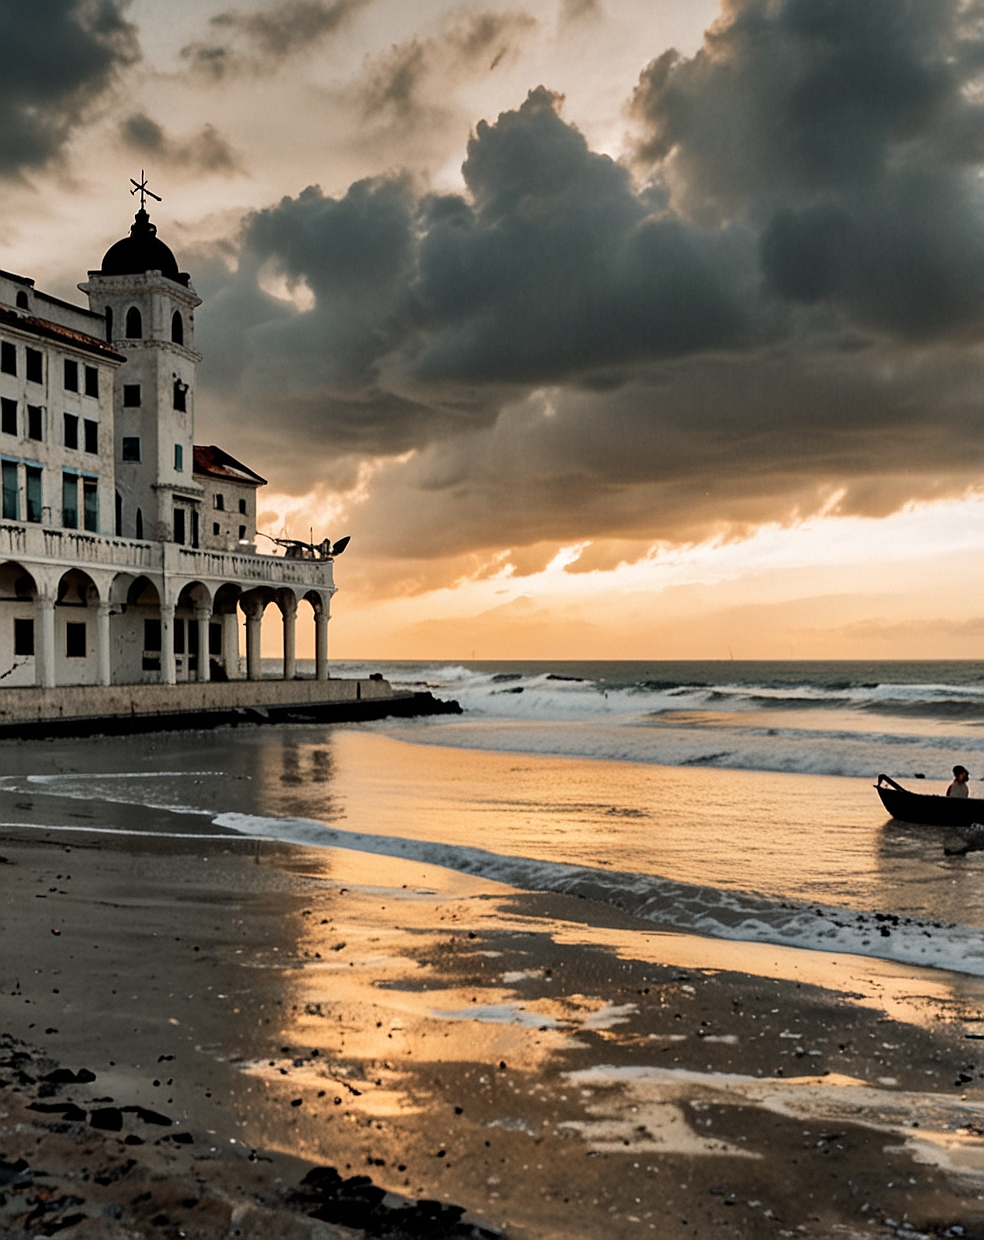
x,y
127,551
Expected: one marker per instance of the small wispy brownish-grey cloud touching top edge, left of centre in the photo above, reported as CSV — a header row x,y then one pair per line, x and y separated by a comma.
x,y
261,40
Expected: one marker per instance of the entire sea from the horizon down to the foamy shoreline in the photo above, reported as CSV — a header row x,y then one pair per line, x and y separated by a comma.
x,y
727,799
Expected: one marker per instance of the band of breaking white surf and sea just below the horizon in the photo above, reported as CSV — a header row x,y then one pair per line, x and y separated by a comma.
x,y
907,720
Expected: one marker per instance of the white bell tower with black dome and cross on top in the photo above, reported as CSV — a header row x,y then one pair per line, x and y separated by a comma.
x,y
149,308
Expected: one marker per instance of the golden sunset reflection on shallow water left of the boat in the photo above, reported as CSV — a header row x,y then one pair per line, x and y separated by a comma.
x,y
799,838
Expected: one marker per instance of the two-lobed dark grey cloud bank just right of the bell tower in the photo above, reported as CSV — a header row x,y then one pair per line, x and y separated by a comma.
x,y
428,309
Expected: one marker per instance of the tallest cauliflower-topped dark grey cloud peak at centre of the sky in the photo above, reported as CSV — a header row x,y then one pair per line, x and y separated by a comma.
x,y
557,267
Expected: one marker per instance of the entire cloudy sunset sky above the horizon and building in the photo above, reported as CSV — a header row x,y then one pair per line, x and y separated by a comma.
x,y
608,329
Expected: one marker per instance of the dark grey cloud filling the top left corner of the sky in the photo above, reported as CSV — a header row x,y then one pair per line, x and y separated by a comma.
x,y
60,56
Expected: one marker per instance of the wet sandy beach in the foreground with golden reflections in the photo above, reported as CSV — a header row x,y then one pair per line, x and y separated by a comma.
x,y
555,1068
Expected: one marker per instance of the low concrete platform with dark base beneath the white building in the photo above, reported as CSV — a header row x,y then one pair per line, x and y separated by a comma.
x,y
89,710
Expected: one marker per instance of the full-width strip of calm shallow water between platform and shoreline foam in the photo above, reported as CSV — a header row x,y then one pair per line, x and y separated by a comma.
x,y
789,838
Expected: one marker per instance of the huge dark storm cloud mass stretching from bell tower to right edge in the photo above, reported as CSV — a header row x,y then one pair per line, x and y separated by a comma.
x,y
779,303
